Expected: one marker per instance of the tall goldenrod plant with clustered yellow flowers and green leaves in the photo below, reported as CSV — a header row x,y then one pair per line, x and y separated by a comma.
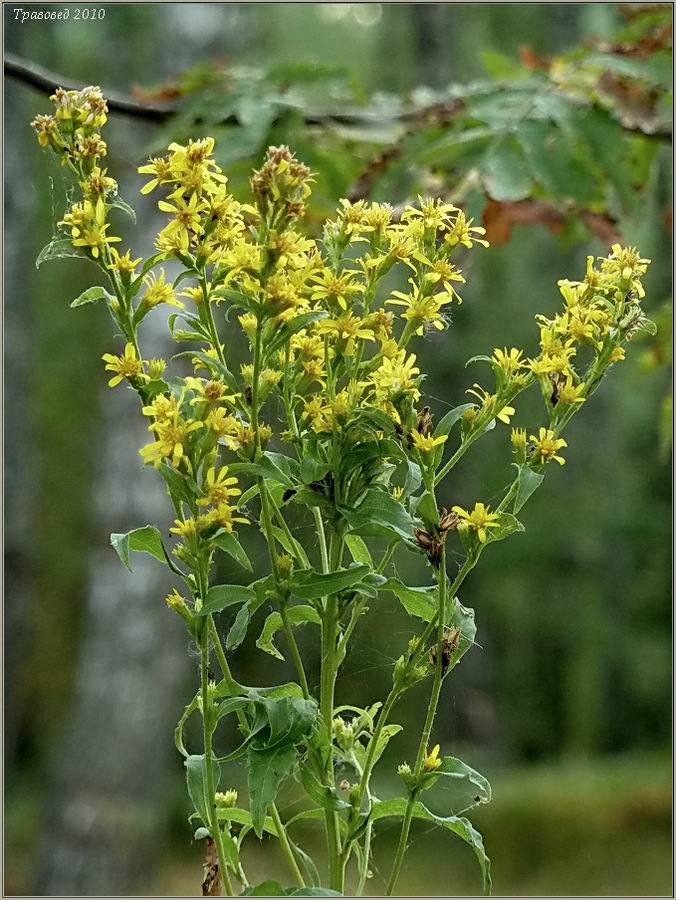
x,y
328,417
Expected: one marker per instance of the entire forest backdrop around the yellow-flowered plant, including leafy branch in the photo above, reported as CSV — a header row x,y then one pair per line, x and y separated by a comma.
x,y
551,124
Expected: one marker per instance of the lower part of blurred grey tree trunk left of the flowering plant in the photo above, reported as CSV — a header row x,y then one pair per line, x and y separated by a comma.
x,y
108,800
